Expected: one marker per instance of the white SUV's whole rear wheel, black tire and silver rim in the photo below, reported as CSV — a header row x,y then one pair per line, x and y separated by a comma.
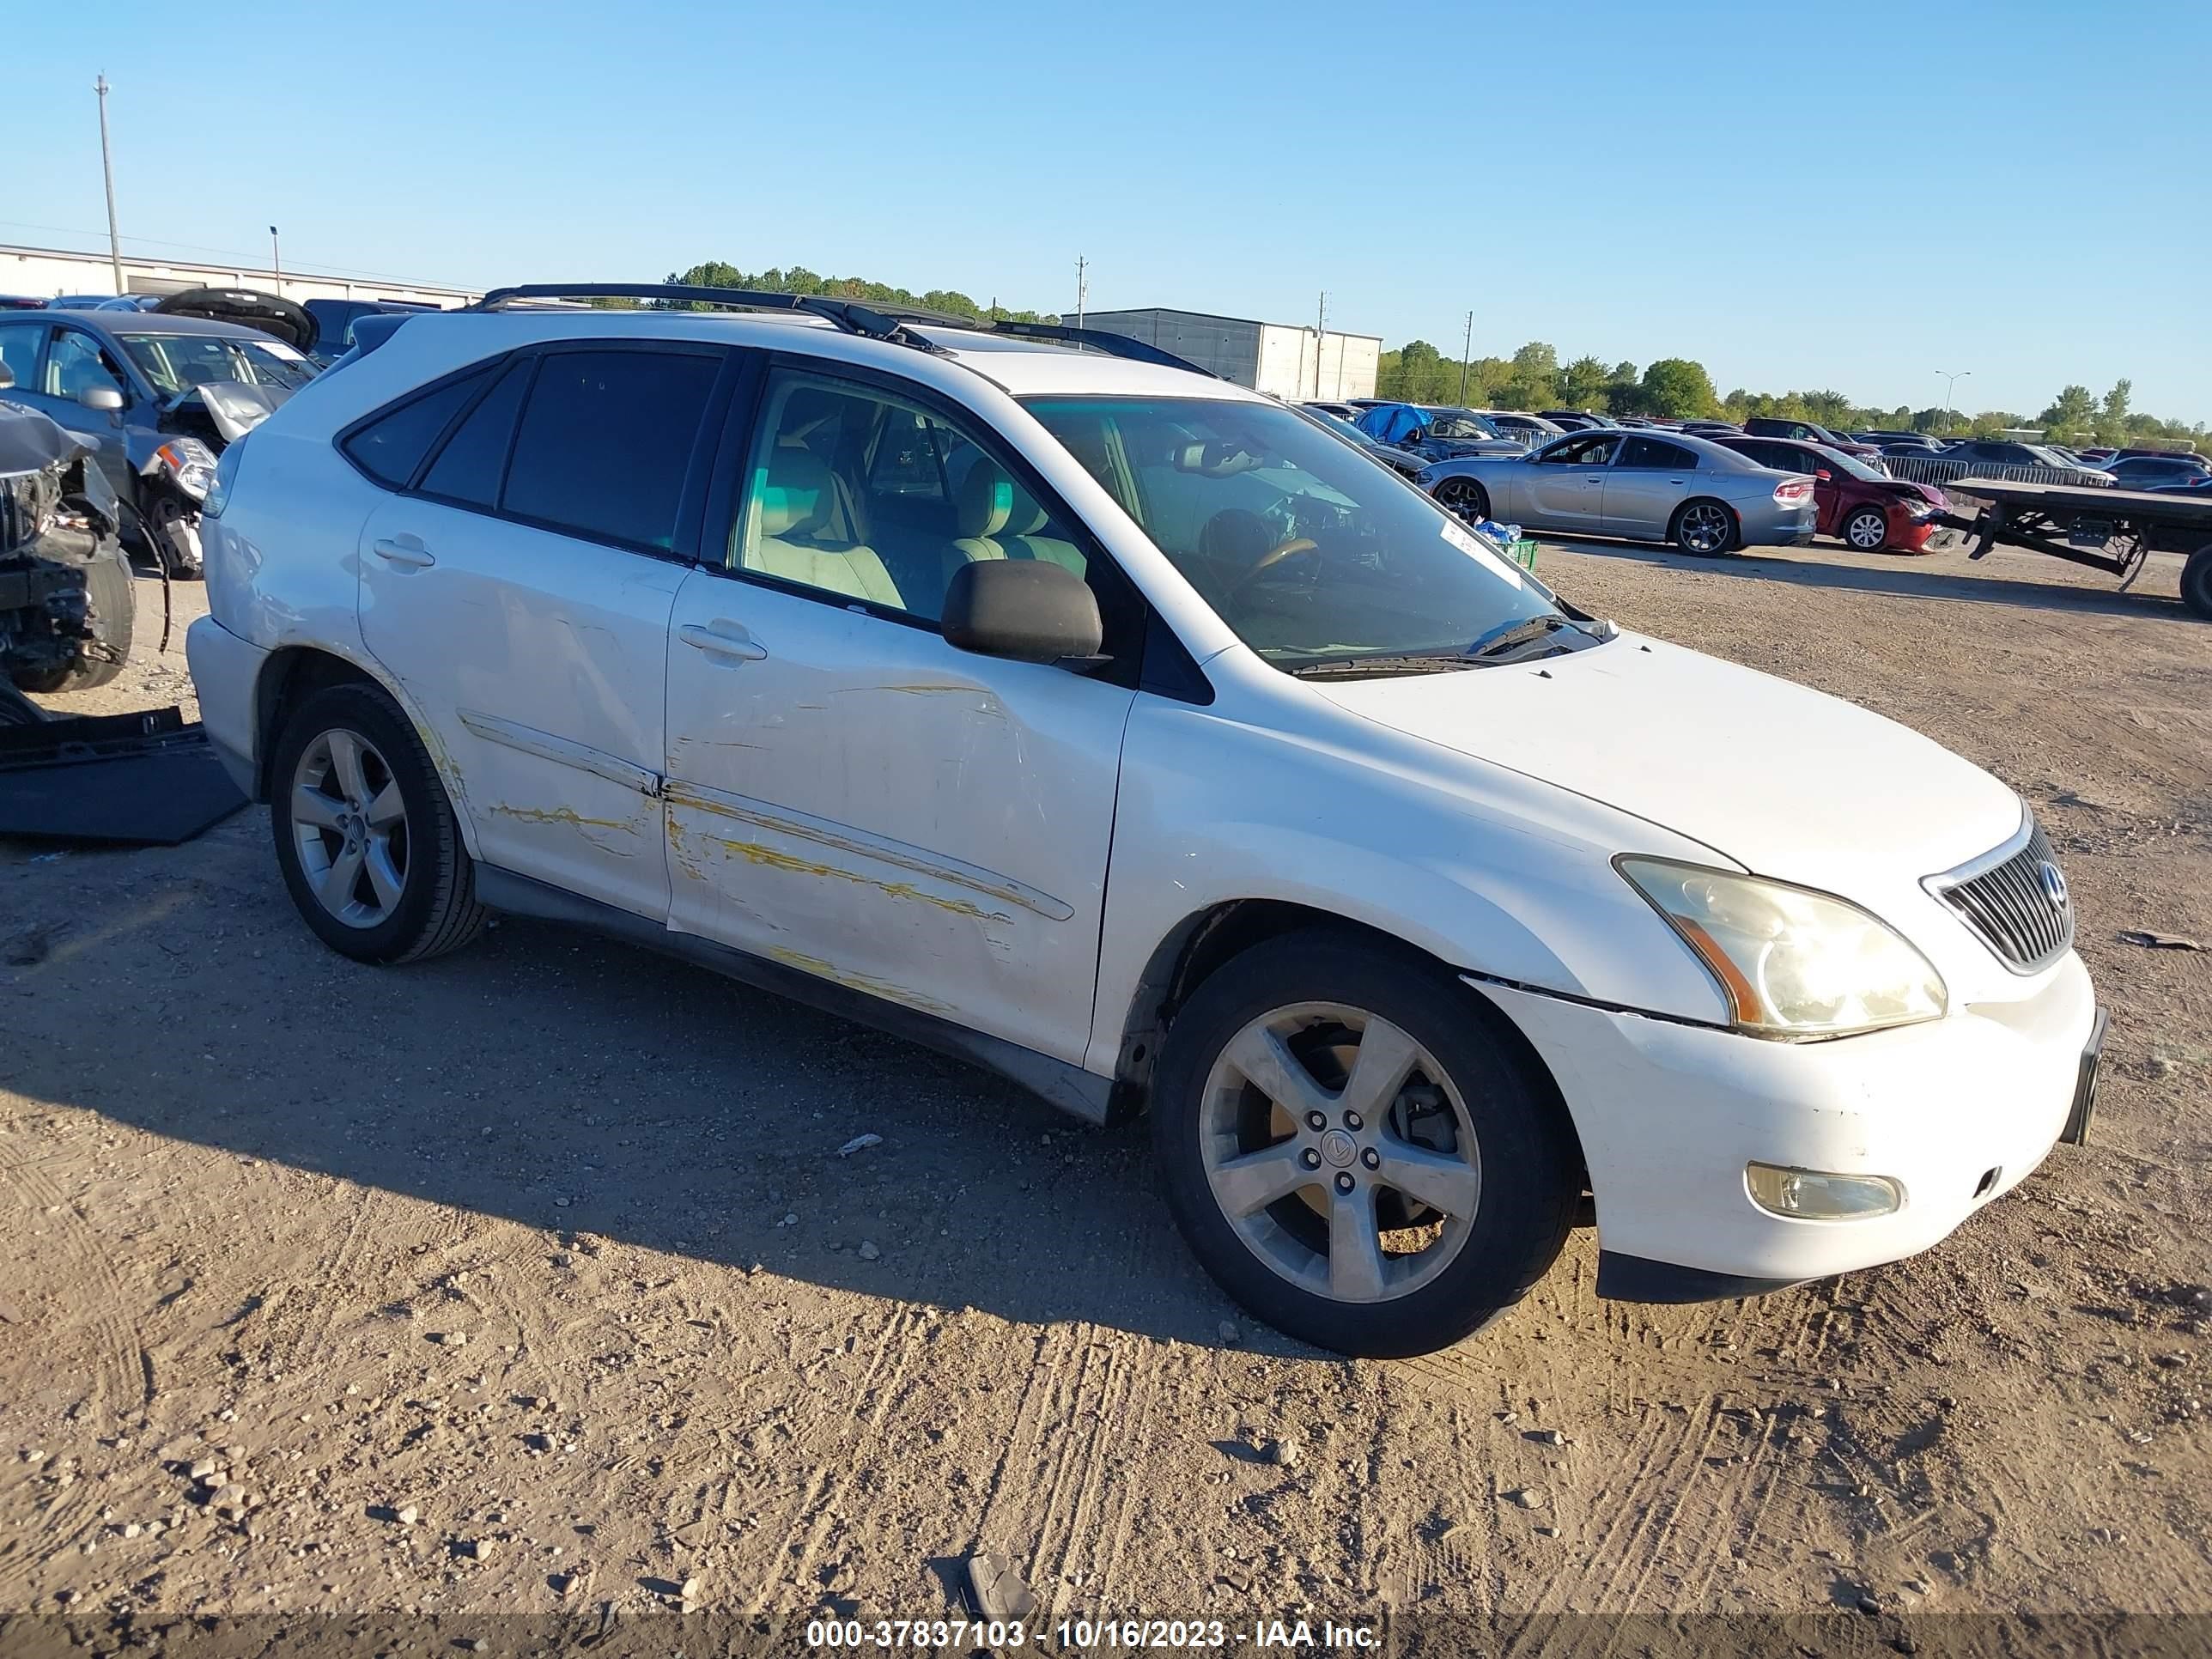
x,y
384,820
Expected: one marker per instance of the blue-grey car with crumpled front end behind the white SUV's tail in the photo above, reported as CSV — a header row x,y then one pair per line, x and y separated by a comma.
x,y
160,395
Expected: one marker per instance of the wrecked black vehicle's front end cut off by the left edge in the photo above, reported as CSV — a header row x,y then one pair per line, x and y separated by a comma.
x,y
67,603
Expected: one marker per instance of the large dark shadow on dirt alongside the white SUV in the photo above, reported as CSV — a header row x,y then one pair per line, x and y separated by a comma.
x,y
581,1087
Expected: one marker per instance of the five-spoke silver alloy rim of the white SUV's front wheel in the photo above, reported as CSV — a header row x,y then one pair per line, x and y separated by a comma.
x,y
1339,1151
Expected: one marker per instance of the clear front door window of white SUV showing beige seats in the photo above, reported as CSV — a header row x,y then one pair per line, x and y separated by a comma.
x,y
864,497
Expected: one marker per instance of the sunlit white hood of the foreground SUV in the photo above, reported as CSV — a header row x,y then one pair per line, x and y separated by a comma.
x,y
1782,780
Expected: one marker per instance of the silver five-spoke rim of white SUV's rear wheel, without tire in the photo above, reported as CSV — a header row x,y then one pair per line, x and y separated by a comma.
x,y
351,828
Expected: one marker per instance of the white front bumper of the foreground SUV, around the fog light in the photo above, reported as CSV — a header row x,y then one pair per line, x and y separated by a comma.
x,y
1957,1112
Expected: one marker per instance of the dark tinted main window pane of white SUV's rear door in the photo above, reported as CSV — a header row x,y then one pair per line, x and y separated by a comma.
x,y
607,439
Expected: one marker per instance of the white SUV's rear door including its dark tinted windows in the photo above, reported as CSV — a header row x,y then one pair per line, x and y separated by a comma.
x,y
519,587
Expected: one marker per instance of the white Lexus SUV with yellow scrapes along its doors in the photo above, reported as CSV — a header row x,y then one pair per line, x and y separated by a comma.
x,y
1145,742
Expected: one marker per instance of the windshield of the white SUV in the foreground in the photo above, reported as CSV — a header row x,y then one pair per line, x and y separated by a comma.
x,y
1306,550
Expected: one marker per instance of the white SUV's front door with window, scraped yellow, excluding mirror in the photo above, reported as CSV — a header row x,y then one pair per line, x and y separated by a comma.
x,y
848,793
